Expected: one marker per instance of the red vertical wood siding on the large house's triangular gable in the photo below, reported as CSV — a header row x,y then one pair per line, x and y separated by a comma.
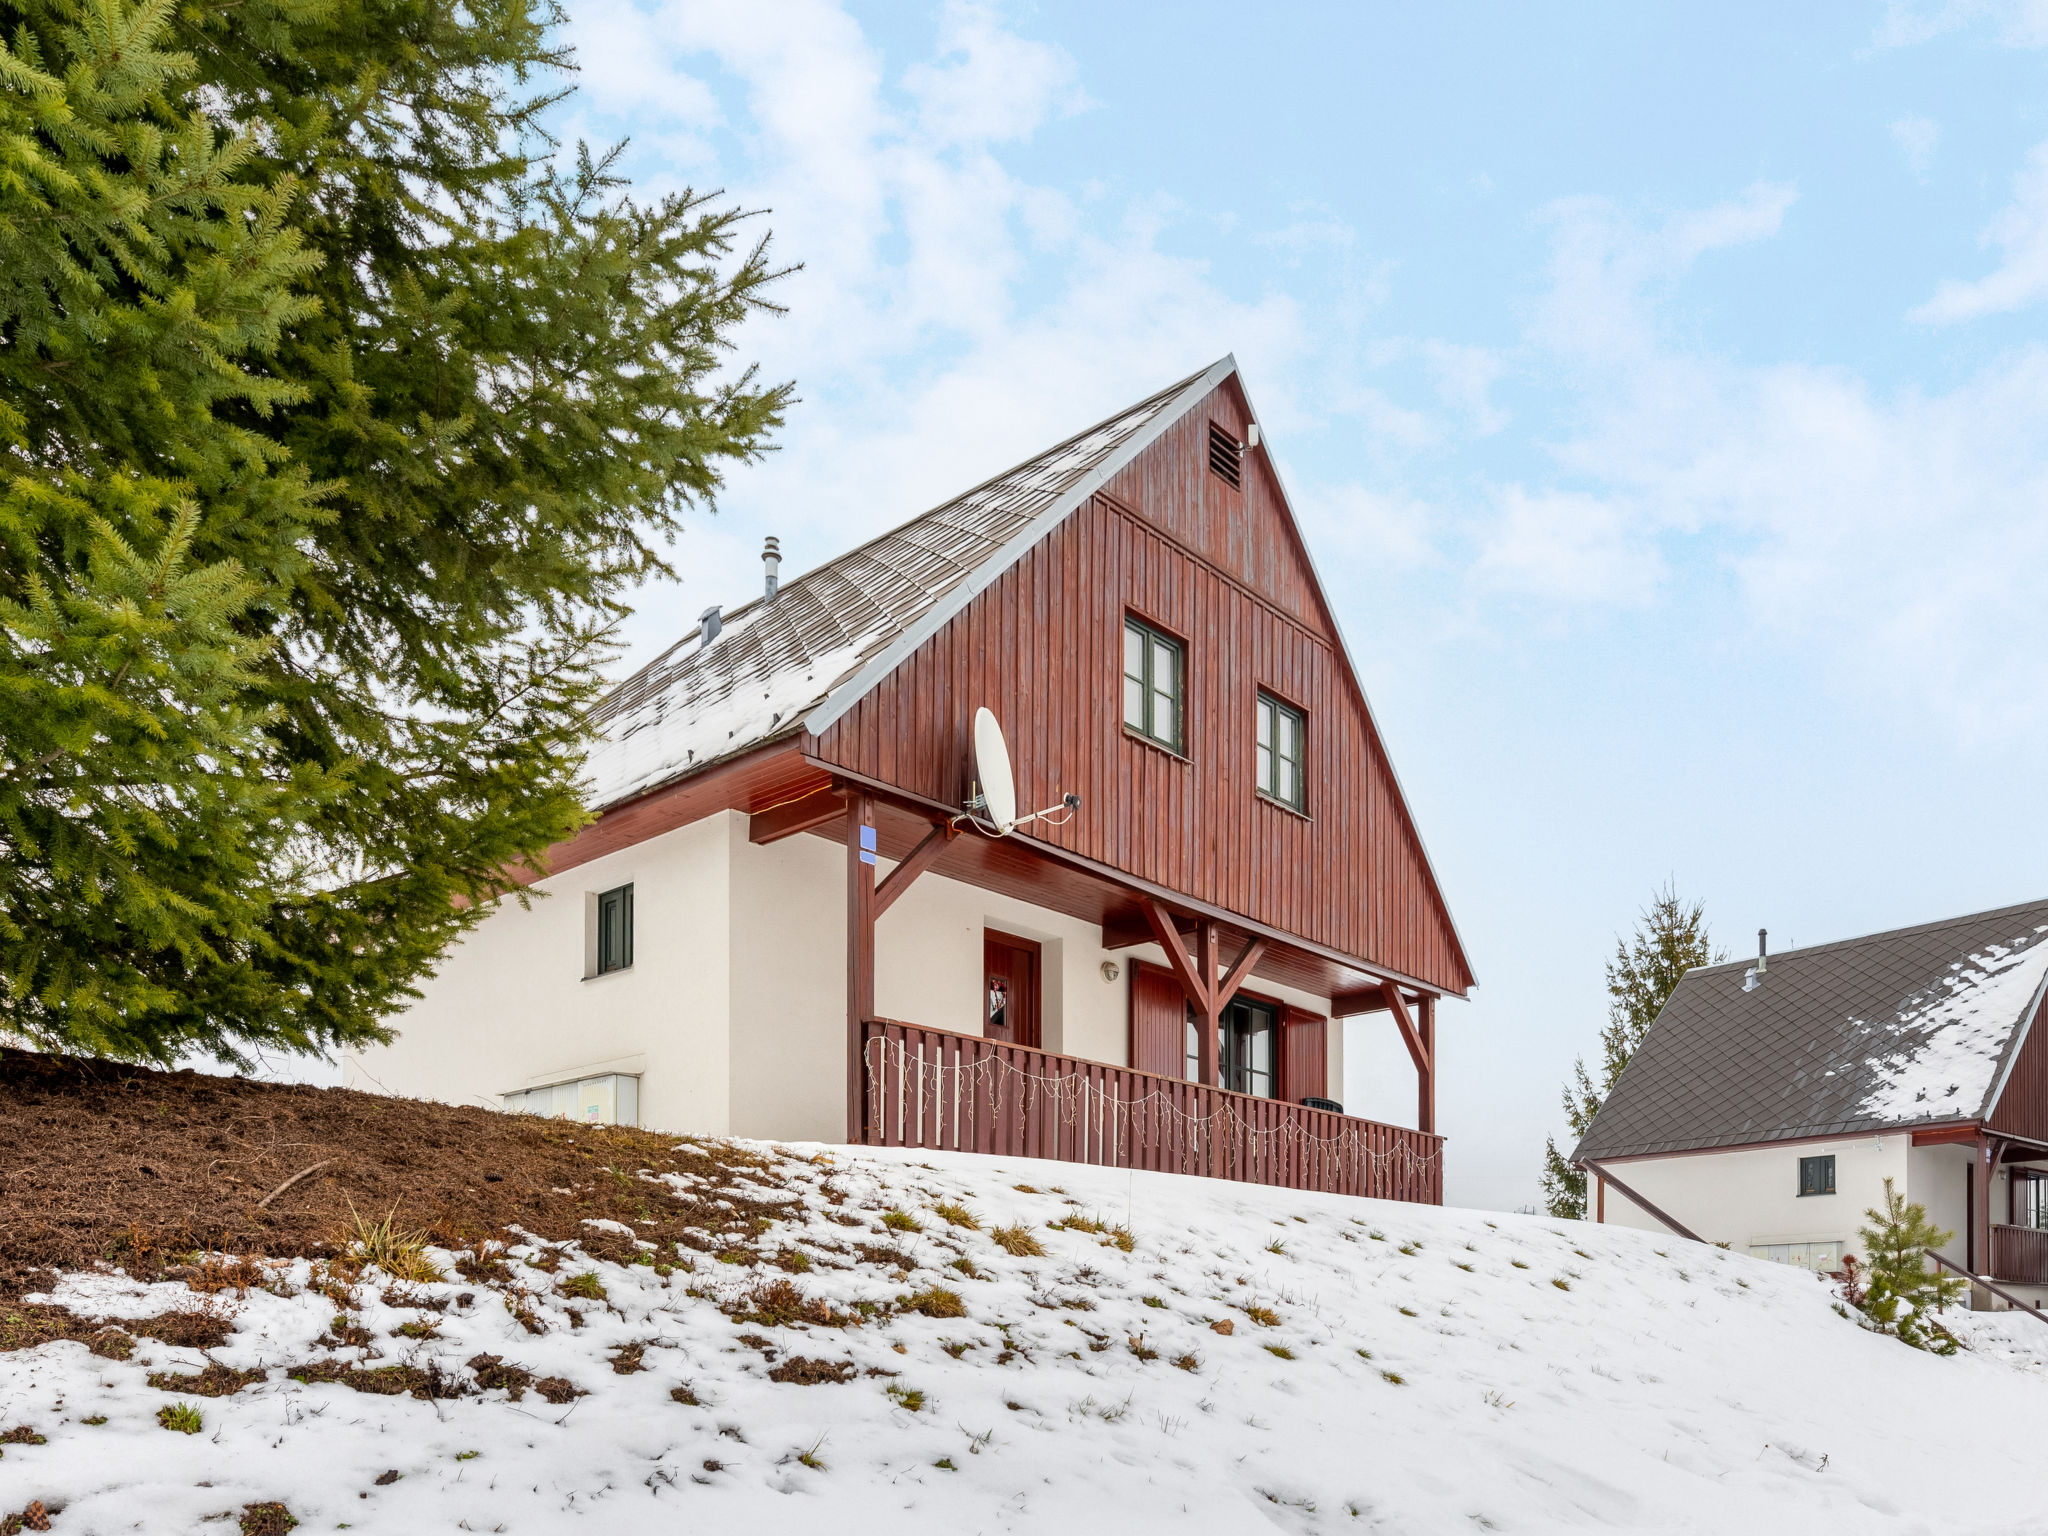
x,y
1043,648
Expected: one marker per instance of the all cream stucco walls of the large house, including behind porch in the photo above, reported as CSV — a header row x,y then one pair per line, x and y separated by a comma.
x,y
734,1011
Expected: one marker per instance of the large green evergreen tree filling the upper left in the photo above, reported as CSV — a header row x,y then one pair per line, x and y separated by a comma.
x,y
337,421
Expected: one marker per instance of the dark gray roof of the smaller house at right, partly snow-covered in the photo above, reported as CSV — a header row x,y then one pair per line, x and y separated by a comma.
x,y
1910,1027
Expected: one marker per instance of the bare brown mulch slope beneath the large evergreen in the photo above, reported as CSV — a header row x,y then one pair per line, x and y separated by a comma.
x,y
142,1168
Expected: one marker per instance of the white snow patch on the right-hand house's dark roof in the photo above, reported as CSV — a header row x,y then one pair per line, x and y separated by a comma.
x,y
1953,1035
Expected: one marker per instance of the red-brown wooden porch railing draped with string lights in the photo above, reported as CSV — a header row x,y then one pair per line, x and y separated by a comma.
x,y
962,1093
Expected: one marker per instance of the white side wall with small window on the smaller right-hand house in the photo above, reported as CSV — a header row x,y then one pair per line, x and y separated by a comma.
x,y
1748,1197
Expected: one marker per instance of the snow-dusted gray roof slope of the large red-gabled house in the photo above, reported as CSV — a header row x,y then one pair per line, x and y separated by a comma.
x,y
839,628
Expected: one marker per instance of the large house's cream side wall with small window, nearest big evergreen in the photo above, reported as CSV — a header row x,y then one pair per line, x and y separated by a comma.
x,y
513,1009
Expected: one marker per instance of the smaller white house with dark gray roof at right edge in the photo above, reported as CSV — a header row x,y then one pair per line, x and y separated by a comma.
x,y
1770,1101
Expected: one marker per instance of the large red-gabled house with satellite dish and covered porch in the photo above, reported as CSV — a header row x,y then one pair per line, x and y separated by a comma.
x,y
781,867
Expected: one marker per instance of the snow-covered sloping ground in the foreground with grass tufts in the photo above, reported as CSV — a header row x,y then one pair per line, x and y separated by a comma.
x,y
1424,1371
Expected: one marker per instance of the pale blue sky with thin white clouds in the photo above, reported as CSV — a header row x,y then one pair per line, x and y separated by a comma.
x,y
1664,392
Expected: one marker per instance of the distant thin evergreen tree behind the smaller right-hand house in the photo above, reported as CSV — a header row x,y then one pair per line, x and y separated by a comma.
x,y
1646,970
